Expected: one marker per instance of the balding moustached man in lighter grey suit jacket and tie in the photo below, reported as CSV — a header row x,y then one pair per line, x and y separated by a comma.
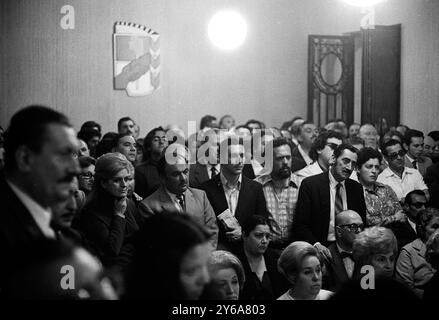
x,y
175,195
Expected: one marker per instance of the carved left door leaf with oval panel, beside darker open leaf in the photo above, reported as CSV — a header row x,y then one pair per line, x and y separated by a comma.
x,y
330,78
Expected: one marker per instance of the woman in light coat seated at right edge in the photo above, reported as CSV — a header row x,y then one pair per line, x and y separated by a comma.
x,y
412,267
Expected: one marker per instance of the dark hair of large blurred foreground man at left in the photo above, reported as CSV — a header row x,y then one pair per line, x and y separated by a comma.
x,y
28,127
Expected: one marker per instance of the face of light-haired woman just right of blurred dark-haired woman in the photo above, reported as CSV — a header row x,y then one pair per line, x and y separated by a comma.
x,y
225,284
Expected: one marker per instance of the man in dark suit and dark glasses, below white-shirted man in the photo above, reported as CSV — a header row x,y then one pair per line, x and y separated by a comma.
x,y
405,231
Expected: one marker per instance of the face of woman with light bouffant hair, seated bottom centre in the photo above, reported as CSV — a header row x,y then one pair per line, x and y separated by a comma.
x,y
309,280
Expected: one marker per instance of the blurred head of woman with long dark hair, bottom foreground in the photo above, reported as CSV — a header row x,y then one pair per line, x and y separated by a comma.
x,y
170,259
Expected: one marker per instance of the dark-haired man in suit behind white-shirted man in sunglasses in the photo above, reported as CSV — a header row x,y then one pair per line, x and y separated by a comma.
x,y
414,145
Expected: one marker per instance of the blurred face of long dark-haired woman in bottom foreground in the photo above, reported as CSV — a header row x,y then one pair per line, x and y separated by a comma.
x,y
193,271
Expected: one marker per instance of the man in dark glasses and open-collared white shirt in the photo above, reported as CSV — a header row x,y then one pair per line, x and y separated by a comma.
x,y
399,177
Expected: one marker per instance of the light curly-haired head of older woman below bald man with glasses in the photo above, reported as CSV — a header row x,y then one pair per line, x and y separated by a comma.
x,y
376,247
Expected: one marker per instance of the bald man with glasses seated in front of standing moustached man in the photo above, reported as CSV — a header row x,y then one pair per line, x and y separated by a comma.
x,y
348,224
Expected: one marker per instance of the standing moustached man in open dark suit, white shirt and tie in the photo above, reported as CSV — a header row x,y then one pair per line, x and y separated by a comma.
x,y
323,196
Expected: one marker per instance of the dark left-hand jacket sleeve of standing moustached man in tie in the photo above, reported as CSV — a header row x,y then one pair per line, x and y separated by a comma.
x,y
301,226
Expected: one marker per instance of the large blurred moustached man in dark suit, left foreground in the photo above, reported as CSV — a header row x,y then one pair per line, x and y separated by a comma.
x,y
40,165
